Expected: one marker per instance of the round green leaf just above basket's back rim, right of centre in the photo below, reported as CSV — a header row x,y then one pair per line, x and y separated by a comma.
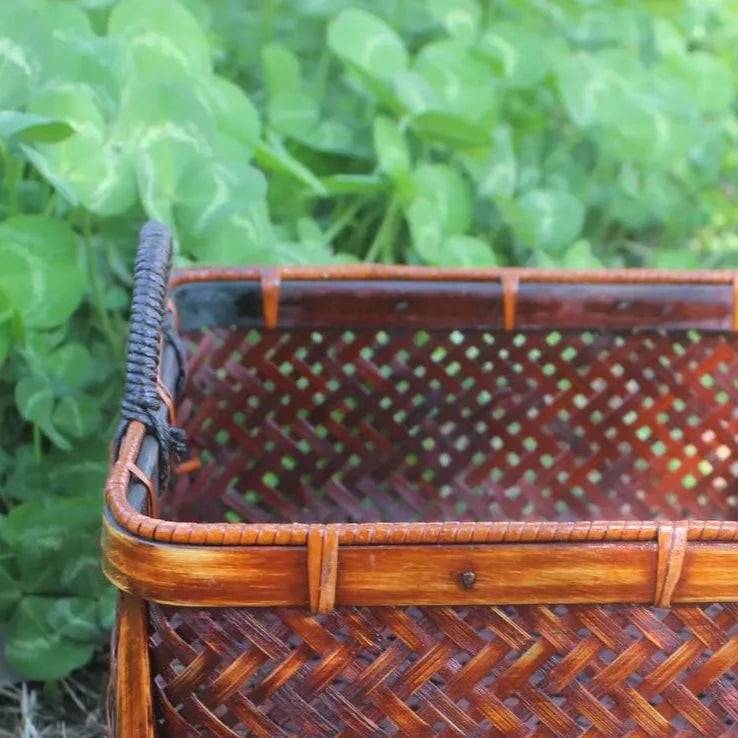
x,y
546,219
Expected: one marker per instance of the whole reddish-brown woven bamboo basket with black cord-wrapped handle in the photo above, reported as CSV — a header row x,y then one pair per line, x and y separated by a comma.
x,y
423,502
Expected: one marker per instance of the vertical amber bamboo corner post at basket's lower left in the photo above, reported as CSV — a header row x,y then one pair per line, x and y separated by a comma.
x,y
133,699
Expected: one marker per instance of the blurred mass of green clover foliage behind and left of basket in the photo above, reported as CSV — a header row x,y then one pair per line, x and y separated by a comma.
x,y
569,134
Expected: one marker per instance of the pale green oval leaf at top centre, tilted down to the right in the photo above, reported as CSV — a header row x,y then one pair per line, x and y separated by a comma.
x,y
368,43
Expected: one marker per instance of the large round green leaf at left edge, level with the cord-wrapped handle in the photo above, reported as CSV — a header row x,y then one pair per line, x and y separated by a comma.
x,y
41,275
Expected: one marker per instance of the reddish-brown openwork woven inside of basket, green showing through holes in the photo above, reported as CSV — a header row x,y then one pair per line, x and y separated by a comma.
x,y
406,424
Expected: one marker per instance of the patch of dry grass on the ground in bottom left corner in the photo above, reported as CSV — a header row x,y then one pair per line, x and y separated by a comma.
x,y
73,709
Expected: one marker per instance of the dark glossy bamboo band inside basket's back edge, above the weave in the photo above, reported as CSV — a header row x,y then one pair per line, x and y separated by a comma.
x,y
498,302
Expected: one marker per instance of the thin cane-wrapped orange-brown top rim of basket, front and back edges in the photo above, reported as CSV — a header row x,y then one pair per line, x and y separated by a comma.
x,y
296,534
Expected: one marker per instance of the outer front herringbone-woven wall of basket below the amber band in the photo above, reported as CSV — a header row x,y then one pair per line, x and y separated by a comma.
x,y
438,671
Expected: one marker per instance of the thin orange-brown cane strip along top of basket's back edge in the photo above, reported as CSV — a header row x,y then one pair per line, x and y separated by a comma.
x,y
524,275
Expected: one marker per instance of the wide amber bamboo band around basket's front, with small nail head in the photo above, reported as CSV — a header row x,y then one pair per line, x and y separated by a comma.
x,y
275,576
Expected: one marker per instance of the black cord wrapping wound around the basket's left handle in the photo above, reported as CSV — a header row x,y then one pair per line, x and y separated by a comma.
x,y
141,400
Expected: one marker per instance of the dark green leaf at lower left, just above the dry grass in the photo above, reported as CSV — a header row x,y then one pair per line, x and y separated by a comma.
x,y
35,650
